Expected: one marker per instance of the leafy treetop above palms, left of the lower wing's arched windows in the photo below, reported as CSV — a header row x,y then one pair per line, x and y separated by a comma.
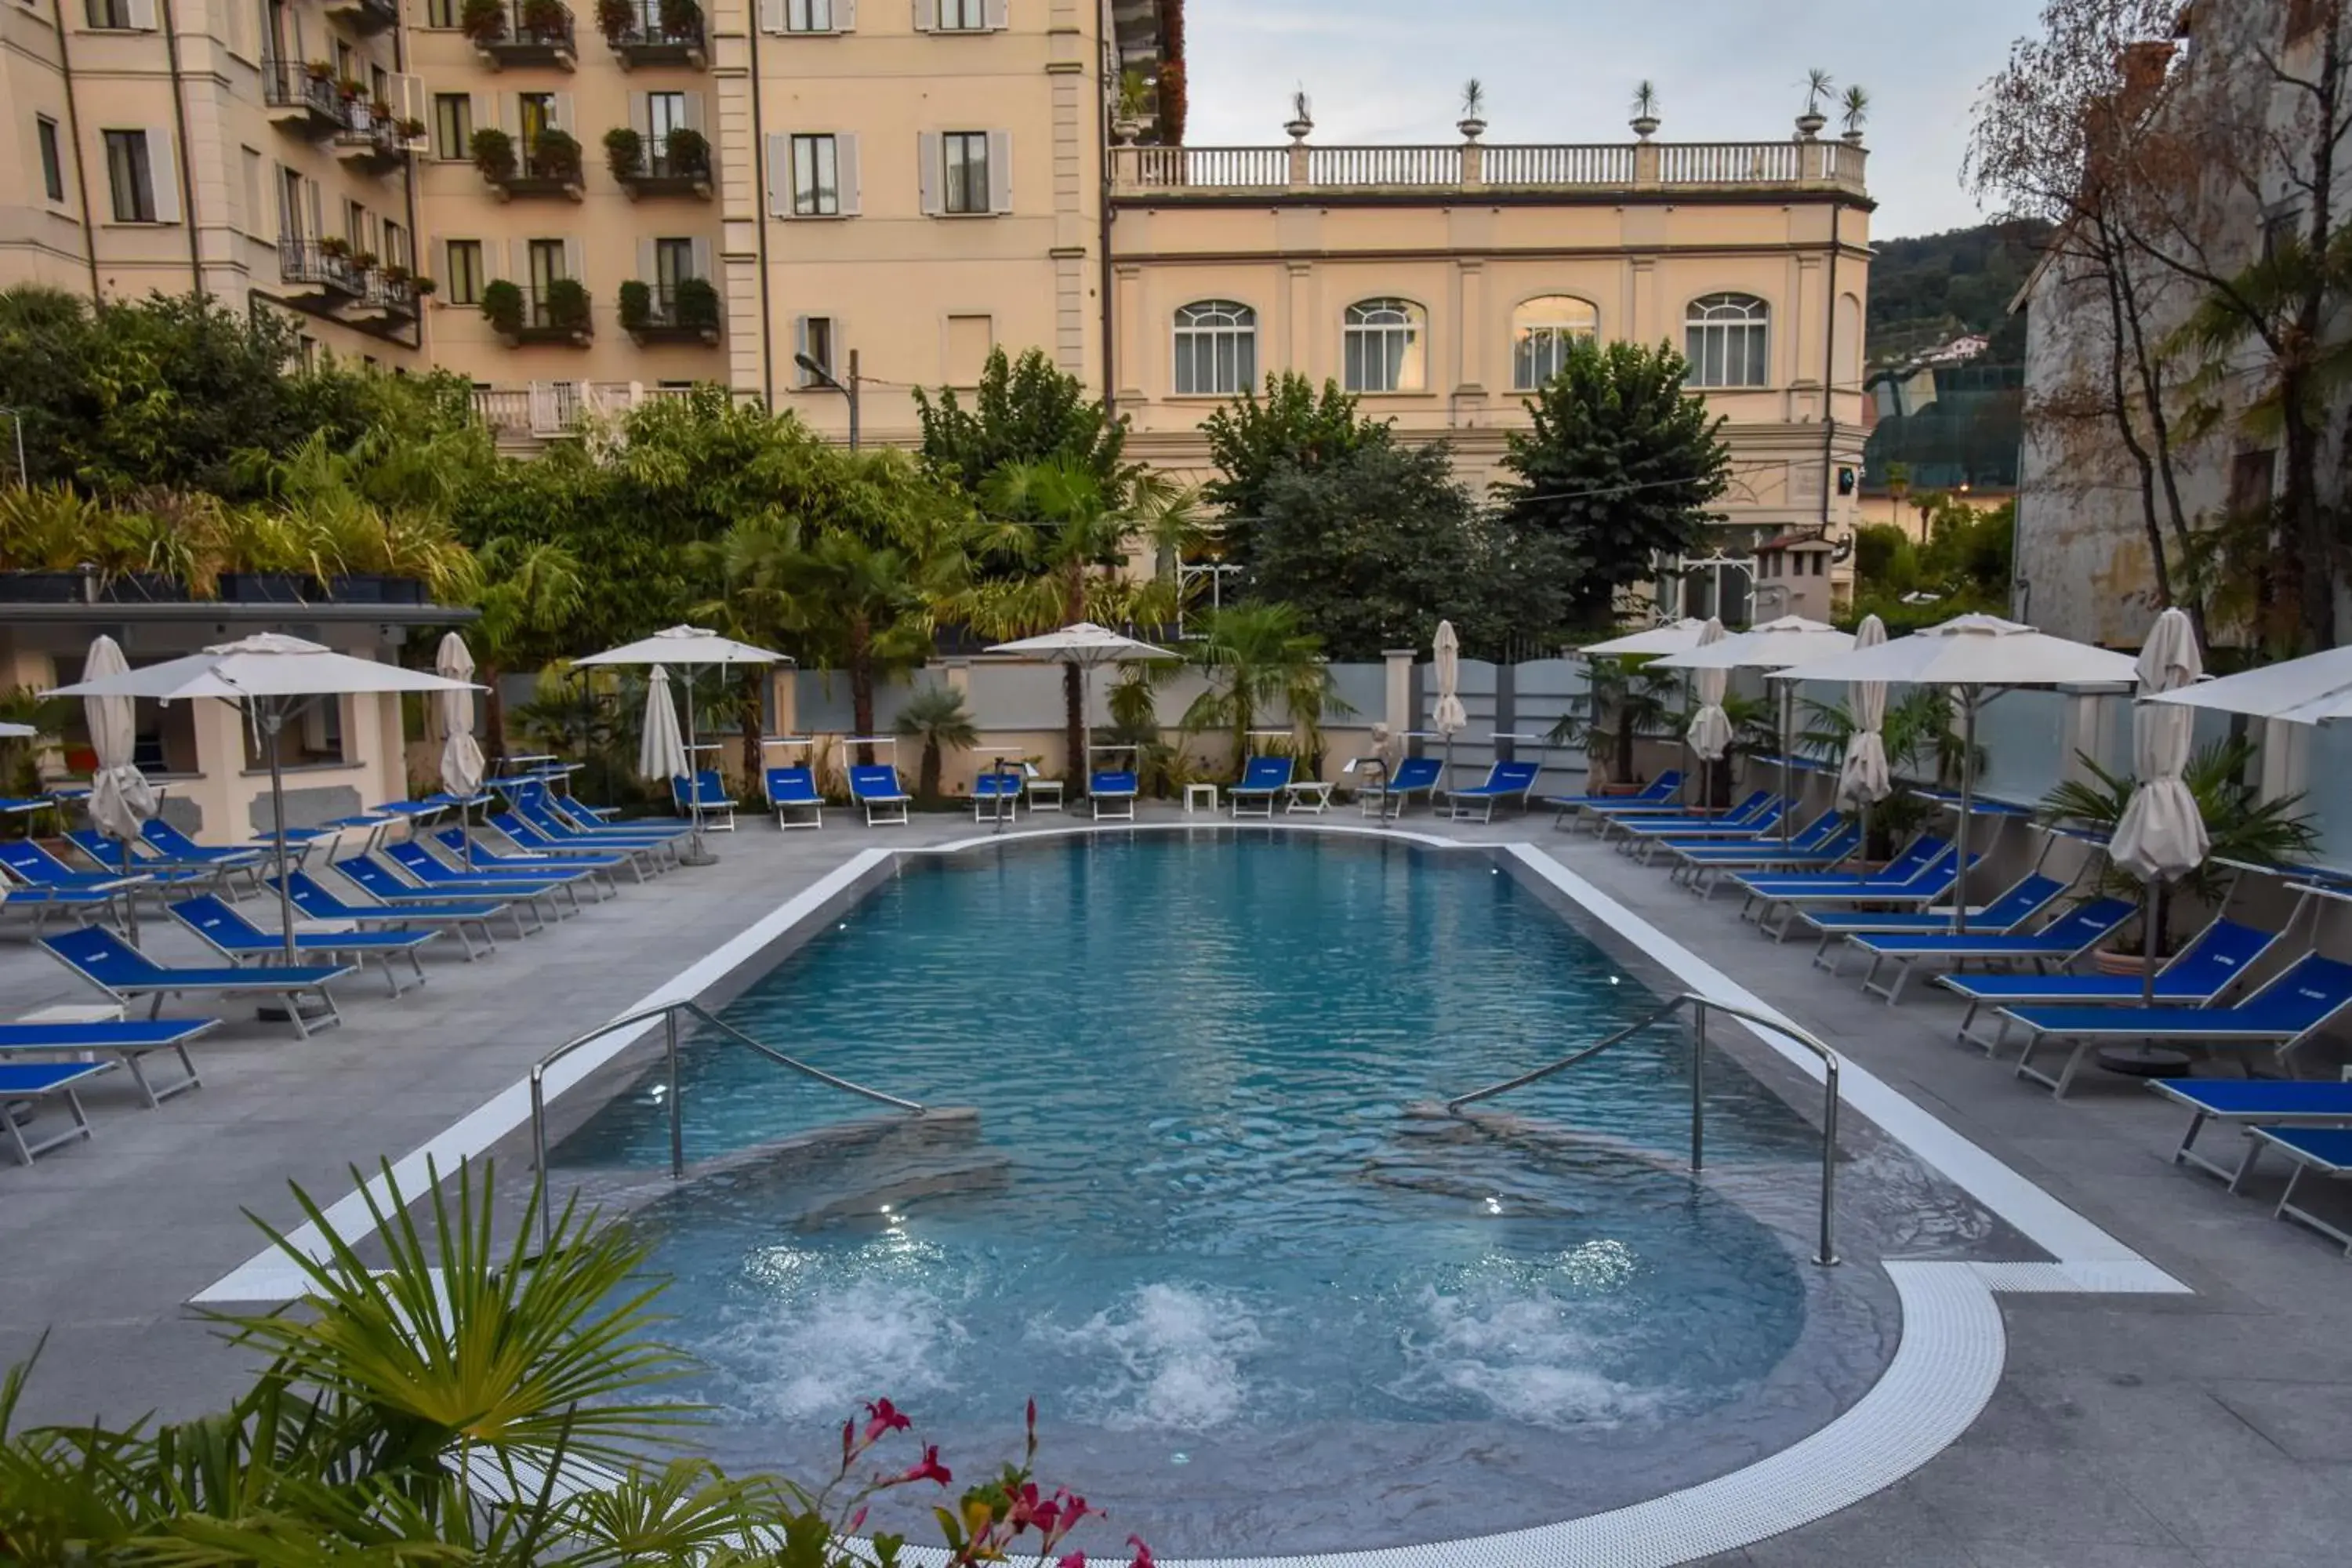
x,y
1024,413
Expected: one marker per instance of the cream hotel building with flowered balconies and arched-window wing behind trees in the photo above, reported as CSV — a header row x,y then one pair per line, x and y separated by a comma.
x,y
775,194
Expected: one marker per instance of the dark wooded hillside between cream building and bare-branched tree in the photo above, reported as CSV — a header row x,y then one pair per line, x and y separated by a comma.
x,y
1937,288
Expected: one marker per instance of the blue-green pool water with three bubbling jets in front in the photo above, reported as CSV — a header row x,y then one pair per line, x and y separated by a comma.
x,y
1205,1217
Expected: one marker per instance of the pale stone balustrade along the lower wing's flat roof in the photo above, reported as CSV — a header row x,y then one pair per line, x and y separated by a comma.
x,y
1382,173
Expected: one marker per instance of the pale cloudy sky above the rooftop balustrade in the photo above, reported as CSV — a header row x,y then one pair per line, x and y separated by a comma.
x,y
1565,69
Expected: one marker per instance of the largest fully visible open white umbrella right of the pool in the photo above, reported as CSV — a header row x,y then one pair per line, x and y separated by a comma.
x,y
1977,657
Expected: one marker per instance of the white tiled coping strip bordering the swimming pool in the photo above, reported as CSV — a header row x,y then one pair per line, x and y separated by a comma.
x,y
1949,1358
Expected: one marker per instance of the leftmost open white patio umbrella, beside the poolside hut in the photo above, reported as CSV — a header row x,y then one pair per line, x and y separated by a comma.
x,y
269,678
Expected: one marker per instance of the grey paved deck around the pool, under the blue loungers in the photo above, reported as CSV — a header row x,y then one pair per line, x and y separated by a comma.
x,y
2127,1430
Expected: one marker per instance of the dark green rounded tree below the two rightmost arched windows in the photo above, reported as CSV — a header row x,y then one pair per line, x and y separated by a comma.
x,y
1617,469
